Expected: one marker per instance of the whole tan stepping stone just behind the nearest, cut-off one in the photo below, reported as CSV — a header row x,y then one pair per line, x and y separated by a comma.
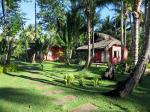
x,y
64,100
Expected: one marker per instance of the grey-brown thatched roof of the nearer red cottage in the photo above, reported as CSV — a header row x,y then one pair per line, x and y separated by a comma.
x,y
103,42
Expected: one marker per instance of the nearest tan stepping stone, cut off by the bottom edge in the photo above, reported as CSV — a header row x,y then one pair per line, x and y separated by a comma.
x,y
85,108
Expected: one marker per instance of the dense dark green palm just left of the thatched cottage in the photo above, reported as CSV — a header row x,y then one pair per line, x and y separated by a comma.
x,y
70,32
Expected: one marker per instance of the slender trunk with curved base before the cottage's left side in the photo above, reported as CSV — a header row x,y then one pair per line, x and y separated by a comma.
x,y
89,43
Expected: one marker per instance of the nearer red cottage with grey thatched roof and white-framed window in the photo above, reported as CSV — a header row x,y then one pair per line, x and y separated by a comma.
x,y
106,49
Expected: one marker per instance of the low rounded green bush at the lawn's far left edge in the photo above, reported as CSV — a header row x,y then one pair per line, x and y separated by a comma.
x,y
11,68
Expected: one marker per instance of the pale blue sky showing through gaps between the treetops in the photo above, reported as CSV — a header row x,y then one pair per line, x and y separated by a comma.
x,y
28,9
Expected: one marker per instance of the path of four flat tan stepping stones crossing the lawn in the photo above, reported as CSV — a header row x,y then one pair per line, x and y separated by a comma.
x,y
88,107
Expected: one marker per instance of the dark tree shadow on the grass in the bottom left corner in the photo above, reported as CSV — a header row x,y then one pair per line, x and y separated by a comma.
x,y
20,96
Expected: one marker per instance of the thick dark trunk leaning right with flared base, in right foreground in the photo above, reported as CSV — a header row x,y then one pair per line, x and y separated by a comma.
x,y
126,87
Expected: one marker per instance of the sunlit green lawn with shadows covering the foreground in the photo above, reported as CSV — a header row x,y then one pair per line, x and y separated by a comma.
x,y
30,90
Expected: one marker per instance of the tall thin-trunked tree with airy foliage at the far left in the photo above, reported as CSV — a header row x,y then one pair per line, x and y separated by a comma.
x,y
10,7
